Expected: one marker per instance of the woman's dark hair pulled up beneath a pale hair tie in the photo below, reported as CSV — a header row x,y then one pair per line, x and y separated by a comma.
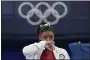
x,y
43,28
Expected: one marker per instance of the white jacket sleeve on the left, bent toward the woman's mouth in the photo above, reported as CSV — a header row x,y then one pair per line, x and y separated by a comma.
x,y
31,49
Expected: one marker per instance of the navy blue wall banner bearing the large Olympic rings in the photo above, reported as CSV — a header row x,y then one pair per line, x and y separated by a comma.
x,y
66,17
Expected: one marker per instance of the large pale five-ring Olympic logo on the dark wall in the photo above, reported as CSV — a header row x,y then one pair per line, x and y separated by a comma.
x,y
35,10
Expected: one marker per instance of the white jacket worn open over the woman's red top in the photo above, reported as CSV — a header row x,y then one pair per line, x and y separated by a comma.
x,y
34,51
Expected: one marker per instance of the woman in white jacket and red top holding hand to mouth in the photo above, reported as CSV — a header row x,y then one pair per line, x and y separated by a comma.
x,y
45,48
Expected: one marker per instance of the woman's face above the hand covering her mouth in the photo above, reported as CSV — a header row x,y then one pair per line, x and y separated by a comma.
x,y
47,35
